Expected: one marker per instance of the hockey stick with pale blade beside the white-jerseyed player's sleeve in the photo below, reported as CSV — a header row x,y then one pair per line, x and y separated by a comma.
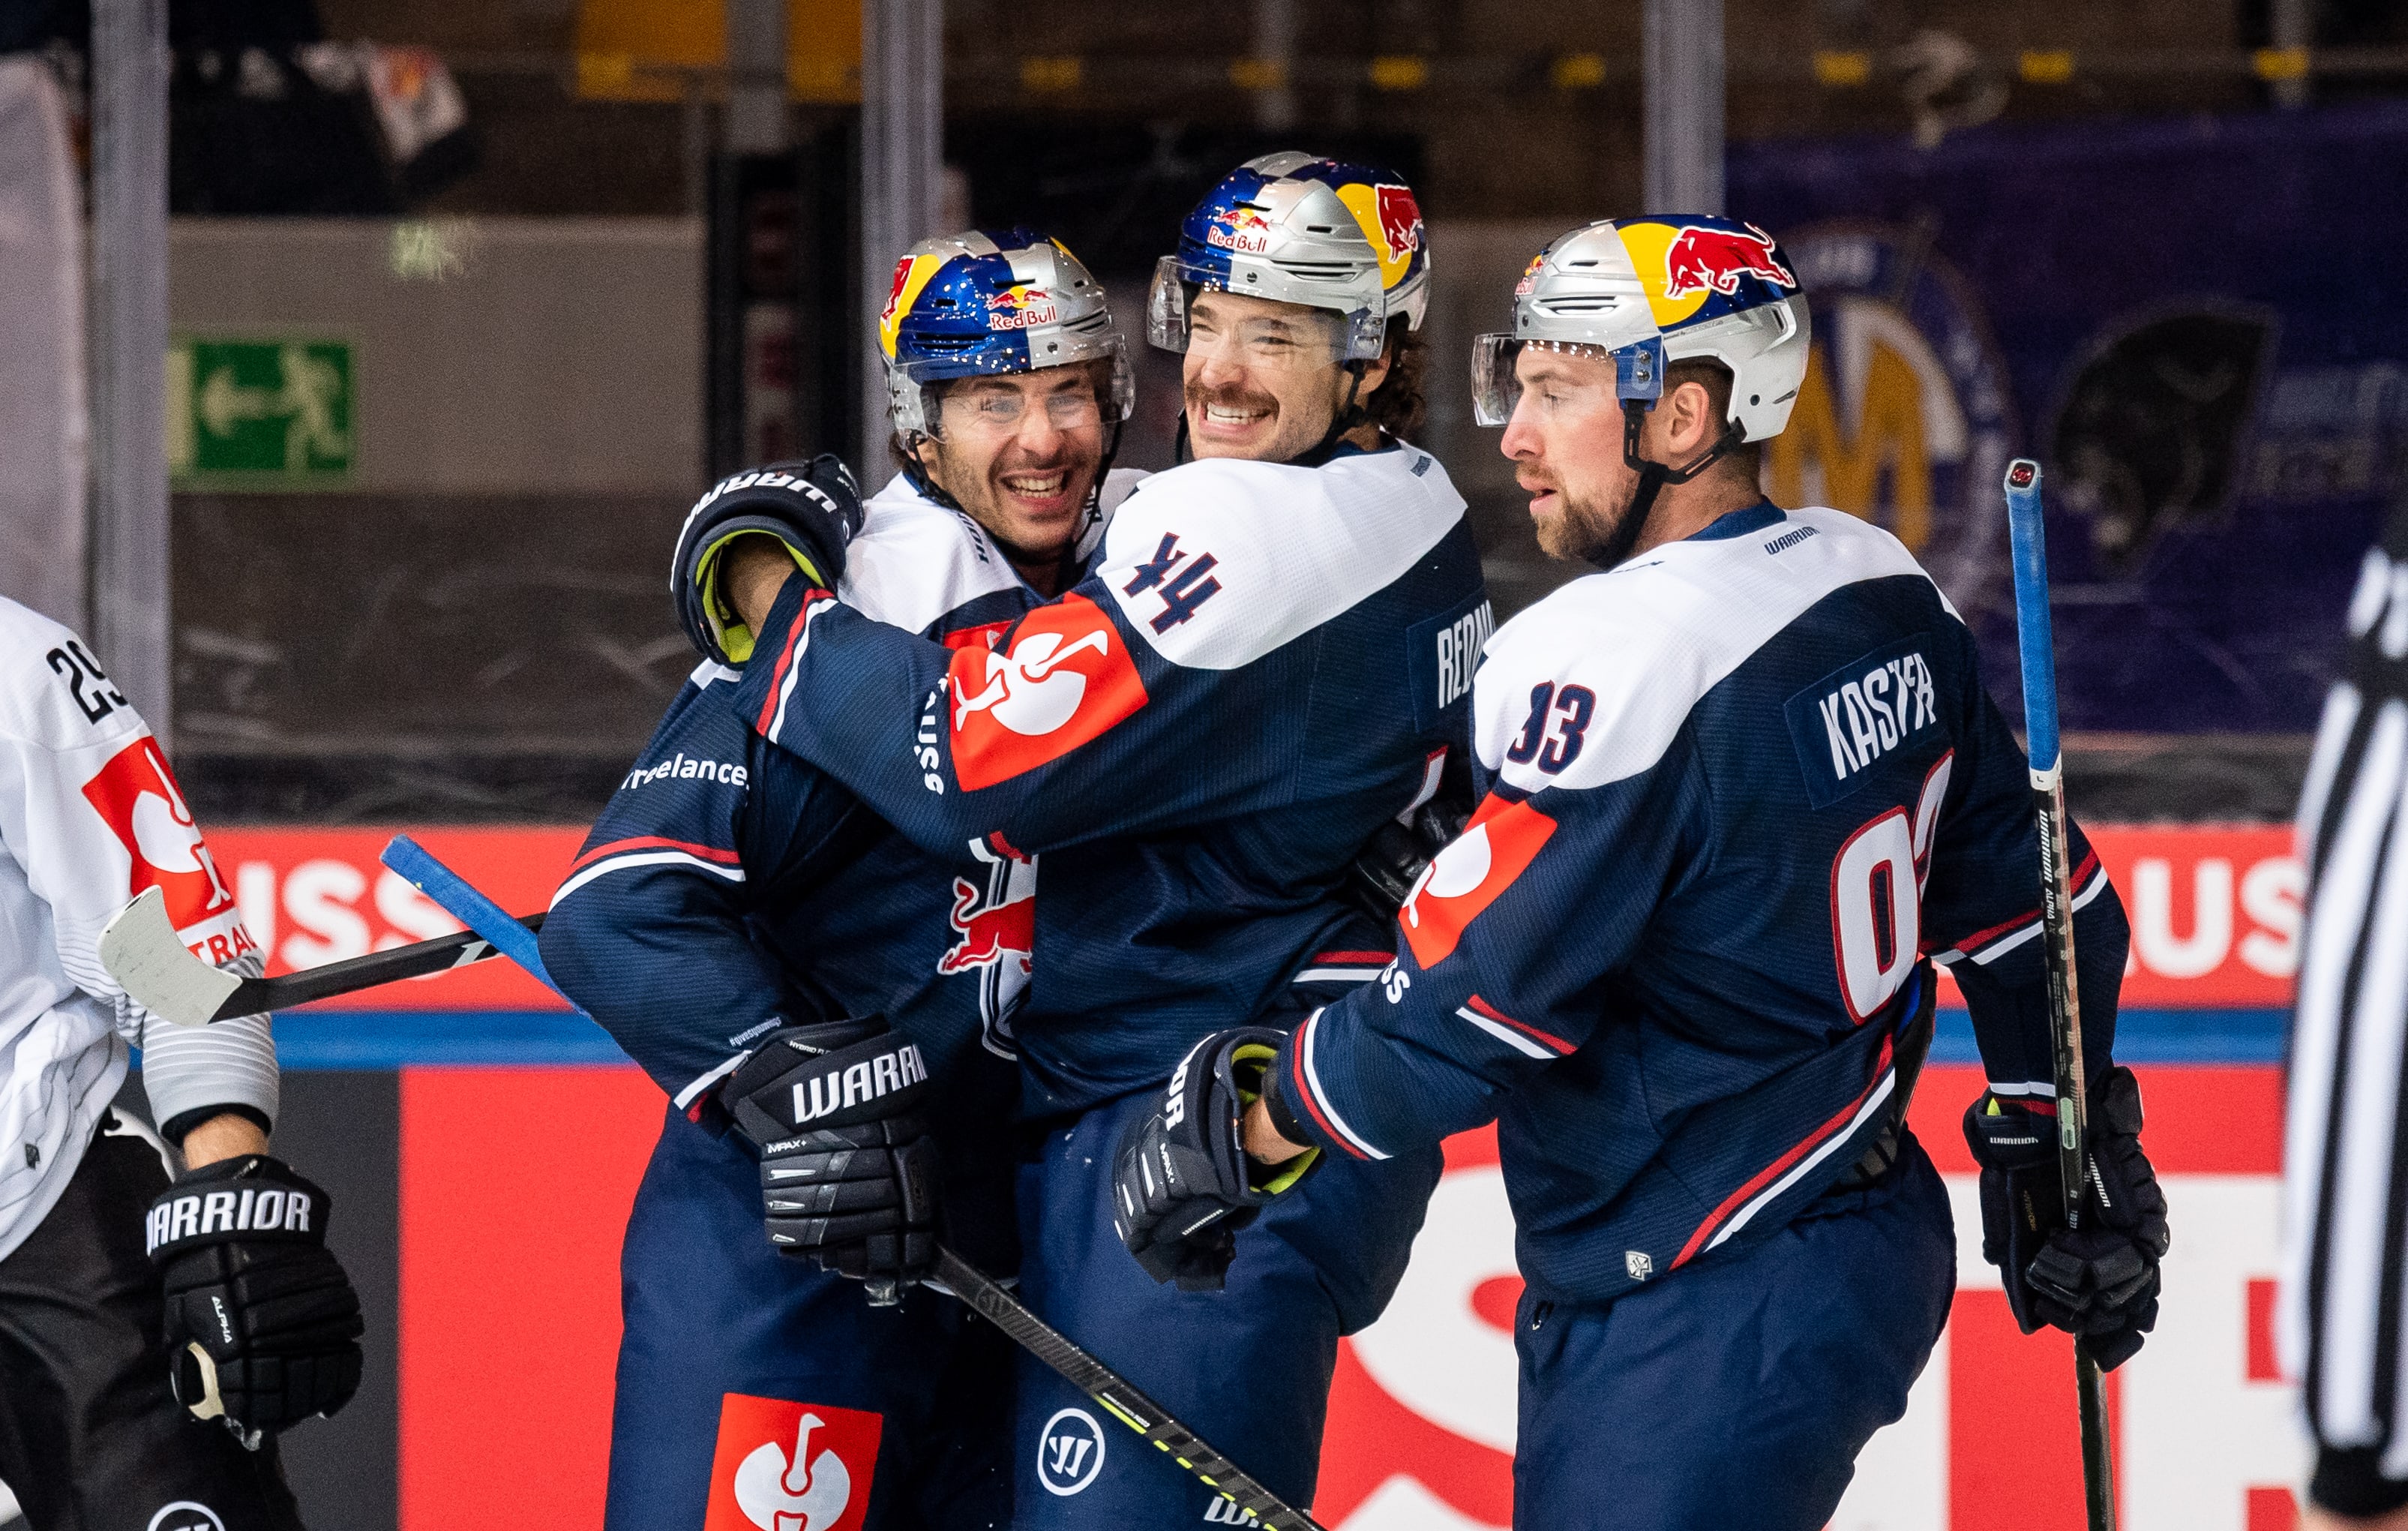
x,y
150,962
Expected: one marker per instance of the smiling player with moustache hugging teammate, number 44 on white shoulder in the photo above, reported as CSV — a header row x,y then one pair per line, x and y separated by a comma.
x,y
1268,666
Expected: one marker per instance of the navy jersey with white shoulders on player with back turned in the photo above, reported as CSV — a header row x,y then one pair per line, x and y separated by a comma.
x,y
1737,796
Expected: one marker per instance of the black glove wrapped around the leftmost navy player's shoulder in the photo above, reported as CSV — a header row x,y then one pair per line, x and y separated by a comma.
x,y
810,507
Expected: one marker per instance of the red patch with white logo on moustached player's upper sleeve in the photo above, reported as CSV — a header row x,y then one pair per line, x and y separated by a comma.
x,y
1061,680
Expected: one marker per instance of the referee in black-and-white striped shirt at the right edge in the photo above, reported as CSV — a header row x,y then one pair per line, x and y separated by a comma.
x,y
2347,1154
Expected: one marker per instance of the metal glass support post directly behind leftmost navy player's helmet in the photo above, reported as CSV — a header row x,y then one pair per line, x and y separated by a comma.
x,y
902,175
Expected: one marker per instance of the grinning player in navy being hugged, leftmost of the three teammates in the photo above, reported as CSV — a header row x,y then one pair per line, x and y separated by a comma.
x,y
750,933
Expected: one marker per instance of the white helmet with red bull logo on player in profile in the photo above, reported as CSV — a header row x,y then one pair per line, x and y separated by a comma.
x,y
1651,292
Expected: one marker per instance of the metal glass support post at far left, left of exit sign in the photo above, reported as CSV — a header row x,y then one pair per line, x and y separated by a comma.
x,y
129,355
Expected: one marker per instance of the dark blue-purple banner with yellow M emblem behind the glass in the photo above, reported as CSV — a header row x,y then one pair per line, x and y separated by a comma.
x,y
2192,324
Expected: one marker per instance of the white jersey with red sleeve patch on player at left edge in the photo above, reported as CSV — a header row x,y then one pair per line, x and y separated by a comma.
x,y
90,815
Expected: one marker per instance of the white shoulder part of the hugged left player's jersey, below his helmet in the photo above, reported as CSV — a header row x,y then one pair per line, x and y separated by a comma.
x,y
916,562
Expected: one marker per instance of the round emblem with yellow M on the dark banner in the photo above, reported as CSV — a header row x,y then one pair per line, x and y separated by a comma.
x,y
1906,415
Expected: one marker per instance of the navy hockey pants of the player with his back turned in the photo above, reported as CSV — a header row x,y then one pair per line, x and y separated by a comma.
x,y
1737,1393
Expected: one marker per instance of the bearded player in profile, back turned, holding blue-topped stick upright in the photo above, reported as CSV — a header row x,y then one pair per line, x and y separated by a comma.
x,y
1742,793
